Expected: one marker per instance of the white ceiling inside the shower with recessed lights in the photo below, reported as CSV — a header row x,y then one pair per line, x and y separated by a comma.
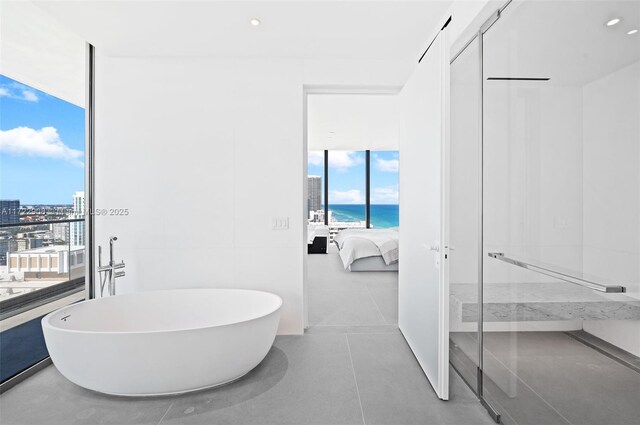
x,y
566,41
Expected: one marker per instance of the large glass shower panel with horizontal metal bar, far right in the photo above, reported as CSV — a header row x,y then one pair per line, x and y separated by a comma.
x,y
561,206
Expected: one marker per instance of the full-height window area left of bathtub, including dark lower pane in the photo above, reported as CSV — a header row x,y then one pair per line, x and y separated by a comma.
x,y
42,175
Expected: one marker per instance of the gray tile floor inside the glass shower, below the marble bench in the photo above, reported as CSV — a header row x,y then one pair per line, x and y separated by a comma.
x,y
550,378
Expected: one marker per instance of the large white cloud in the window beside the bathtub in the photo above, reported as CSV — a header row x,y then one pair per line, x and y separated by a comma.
x,y
46,142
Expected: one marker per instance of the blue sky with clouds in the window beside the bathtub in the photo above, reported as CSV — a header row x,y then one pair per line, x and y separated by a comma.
x,y
41,146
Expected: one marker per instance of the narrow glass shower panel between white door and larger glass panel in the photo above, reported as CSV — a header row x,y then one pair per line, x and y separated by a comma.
x,y
465,212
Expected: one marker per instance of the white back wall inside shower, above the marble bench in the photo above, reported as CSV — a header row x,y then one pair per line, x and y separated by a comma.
x,y
533,177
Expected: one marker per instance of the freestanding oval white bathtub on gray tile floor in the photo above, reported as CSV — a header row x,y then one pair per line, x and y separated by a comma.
x,y
162,342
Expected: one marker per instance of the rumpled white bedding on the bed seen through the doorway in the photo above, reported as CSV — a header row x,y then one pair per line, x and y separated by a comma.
x,y
362,243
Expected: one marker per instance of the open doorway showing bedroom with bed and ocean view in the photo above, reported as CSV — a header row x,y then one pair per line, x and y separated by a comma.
x,y
351,211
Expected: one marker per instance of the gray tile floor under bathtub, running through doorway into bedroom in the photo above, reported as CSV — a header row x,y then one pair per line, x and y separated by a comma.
x,y
352,367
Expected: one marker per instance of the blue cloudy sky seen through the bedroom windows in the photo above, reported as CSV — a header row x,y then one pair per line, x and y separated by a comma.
x,y
347,176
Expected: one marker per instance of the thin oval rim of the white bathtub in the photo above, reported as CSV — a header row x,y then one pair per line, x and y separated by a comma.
x,y
46,320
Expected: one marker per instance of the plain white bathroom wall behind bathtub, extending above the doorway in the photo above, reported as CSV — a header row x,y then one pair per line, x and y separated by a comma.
x,y
205,153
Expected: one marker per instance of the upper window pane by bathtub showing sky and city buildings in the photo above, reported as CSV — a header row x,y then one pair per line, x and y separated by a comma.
x,y
42,192
